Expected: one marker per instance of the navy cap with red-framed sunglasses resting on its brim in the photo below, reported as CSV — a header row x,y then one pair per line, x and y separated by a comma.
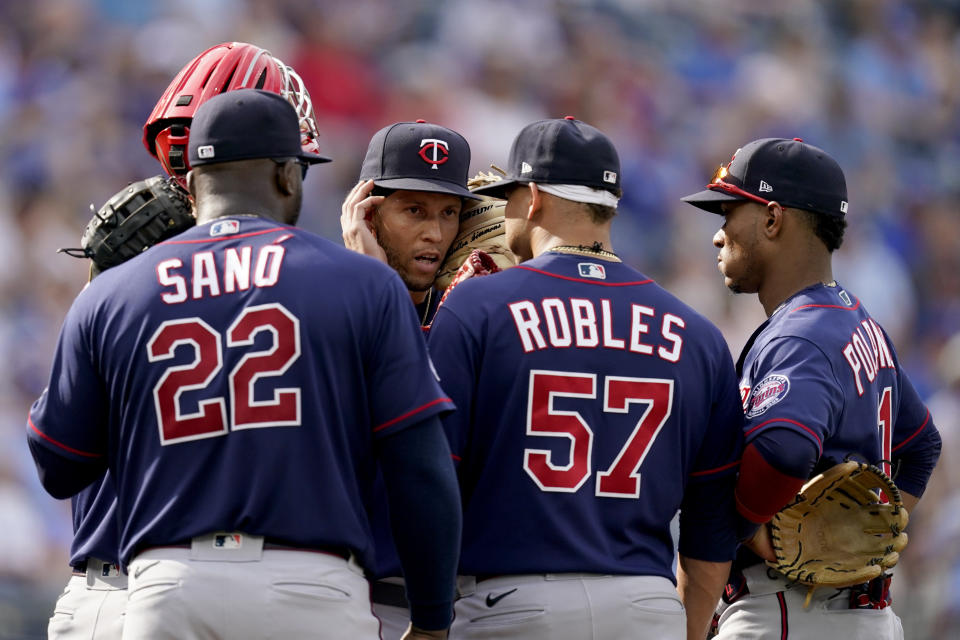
x,y
790,172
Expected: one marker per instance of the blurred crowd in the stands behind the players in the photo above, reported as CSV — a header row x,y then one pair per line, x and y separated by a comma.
x,y
677,84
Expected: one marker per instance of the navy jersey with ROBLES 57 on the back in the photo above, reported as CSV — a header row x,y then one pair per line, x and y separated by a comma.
x,y
592,405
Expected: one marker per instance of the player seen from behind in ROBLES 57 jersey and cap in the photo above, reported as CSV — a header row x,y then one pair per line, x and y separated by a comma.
x,y
592,405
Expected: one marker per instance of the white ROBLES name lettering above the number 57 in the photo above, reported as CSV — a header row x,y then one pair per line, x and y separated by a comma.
x,y
577,322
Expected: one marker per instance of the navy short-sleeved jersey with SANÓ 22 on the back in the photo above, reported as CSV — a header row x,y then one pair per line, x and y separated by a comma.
x,y
236,378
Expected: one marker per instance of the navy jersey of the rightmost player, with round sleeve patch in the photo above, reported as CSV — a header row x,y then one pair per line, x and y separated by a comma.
x,y
821,367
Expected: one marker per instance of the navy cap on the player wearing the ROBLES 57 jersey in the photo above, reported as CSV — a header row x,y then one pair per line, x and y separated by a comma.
x,y
560,151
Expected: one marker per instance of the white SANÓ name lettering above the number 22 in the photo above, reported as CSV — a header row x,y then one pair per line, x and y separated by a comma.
x,y
237,270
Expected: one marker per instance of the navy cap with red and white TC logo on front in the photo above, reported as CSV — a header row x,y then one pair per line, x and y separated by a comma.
x,y
418,156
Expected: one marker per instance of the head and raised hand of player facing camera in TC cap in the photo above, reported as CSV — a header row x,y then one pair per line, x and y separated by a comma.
x,y
405,210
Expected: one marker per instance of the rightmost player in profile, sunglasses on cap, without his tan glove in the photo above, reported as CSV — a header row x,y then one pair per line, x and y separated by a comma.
x,y
820,382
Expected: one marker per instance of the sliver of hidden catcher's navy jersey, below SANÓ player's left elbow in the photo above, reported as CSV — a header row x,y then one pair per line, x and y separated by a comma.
x,y
96,533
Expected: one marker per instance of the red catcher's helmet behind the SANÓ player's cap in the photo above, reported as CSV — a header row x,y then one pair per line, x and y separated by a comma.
x,y
224,67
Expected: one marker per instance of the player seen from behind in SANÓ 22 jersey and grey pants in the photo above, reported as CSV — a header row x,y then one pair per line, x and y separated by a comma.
x,y
243,410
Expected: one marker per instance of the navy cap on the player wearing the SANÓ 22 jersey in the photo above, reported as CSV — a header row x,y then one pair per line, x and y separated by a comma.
x,y
246,124
